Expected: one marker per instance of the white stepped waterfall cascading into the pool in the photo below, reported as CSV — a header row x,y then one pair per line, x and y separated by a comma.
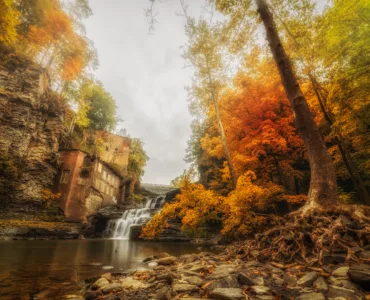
x,y
120,228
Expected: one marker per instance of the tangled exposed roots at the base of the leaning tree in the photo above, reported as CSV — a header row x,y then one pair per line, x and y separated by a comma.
x,y
315,236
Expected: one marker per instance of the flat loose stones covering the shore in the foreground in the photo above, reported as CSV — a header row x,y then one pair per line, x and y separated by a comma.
x,y
226,276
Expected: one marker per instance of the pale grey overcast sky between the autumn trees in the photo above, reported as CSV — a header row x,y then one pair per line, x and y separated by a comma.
x,y
144,73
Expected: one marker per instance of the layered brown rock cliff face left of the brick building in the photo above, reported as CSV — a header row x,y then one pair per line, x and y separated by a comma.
x,y
31,118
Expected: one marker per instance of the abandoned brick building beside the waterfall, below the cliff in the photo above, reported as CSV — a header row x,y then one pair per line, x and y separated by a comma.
x,y
88,182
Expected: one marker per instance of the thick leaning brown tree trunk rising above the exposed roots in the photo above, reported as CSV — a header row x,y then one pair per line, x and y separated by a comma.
x,y
323,185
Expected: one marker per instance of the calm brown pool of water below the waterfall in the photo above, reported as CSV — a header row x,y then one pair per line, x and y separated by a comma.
x,y
51,269
